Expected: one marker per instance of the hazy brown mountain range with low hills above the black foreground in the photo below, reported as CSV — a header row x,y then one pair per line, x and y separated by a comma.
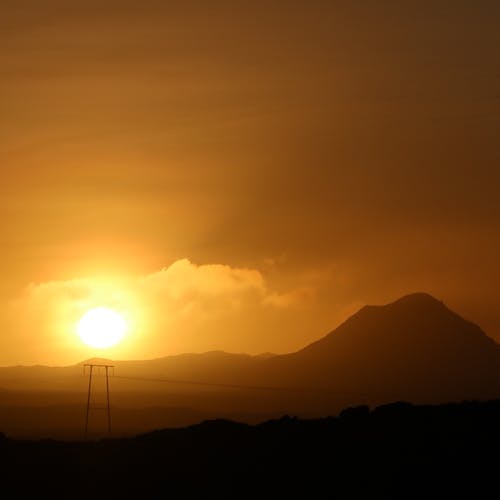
x,y
415,349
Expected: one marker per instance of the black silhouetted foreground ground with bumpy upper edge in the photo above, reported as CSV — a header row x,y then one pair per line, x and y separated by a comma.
x,y
394,451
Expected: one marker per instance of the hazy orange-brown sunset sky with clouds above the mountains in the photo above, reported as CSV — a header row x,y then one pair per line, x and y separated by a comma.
x,y
243,175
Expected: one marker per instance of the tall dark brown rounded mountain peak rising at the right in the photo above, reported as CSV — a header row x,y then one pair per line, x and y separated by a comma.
x,y
414,349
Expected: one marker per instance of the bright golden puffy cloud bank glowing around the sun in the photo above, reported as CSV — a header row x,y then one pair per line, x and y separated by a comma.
x,y
175,309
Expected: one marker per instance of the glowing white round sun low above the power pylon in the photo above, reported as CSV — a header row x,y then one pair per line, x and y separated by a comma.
x,y
101,327
